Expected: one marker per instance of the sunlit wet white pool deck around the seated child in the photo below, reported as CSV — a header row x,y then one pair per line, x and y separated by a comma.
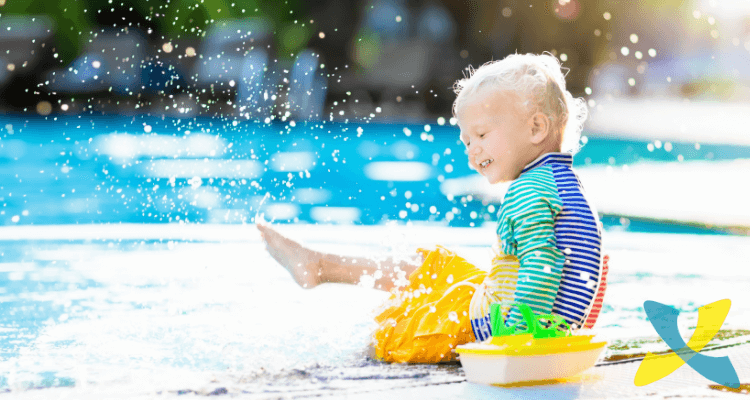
x,y
225,265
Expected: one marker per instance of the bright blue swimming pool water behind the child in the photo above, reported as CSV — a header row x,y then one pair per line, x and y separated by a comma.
x,y
140,169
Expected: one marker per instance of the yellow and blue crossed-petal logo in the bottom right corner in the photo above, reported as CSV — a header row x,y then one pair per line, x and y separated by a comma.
x,y
664,319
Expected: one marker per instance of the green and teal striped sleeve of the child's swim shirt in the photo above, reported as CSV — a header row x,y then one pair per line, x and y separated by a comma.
x,y
526,229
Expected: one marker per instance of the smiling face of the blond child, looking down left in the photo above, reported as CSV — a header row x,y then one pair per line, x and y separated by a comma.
x,y
496,135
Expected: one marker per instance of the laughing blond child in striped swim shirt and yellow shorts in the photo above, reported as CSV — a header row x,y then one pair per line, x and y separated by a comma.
x,y
515,117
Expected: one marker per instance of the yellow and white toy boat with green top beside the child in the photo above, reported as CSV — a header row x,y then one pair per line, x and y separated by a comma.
x,y
515,355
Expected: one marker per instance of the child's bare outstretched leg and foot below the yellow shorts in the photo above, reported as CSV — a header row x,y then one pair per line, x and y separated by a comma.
x,y
311,268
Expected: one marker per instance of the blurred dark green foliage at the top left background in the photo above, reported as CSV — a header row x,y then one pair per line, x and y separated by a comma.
x,y
76,20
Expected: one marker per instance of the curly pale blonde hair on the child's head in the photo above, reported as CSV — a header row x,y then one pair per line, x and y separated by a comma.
x,y
540,83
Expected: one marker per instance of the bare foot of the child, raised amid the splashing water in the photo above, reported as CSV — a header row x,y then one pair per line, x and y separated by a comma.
x,y
302,263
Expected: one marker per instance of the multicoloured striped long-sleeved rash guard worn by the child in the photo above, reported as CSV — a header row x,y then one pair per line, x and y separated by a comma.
x,y
550,242
